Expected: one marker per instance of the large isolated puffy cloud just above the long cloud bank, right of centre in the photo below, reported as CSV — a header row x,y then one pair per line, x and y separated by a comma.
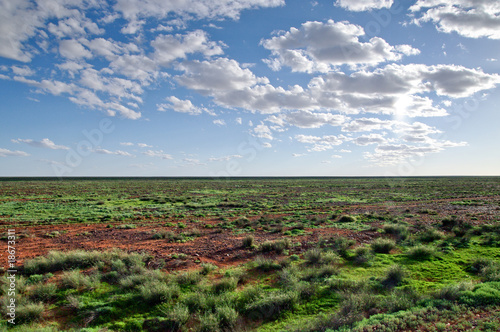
x,y
320,47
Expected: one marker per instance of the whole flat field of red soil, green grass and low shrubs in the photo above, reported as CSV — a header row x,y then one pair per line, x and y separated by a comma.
x,y
280,254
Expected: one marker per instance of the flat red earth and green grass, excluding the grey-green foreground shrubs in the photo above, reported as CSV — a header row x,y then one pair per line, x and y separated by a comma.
x,y
181,225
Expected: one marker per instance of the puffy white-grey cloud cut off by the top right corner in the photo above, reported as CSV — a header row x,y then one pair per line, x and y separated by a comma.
x,y
469,18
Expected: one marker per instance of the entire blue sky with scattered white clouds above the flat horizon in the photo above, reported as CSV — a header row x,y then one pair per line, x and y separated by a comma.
x,y
234,88
